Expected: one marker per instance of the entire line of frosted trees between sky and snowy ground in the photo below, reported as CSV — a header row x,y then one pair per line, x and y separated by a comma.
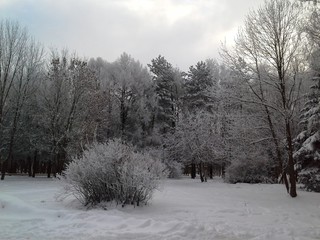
x,y
253,117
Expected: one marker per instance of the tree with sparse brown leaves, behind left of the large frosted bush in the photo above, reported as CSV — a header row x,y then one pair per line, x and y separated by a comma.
x,y
65,107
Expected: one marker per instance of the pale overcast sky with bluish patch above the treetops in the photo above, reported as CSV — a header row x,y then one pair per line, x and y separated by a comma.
x,y
183,31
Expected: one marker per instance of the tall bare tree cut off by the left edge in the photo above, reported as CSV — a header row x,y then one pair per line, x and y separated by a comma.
x,y
20,60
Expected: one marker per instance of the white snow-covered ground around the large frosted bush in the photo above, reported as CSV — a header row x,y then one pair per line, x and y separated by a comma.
x,y
184,209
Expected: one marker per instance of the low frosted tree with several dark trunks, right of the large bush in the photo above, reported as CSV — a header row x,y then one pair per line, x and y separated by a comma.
x,y
197,142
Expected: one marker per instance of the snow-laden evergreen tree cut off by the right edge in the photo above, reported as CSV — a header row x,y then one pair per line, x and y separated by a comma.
x,y
307,143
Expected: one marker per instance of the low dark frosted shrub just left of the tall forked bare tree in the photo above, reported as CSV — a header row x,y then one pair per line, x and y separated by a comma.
x,y
248,171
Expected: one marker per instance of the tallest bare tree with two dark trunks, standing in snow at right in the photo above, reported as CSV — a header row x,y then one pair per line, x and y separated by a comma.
x,y
266,55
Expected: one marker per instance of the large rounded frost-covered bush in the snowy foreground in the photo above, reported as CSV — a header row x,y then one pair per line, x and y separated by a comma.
x,y
114,172
